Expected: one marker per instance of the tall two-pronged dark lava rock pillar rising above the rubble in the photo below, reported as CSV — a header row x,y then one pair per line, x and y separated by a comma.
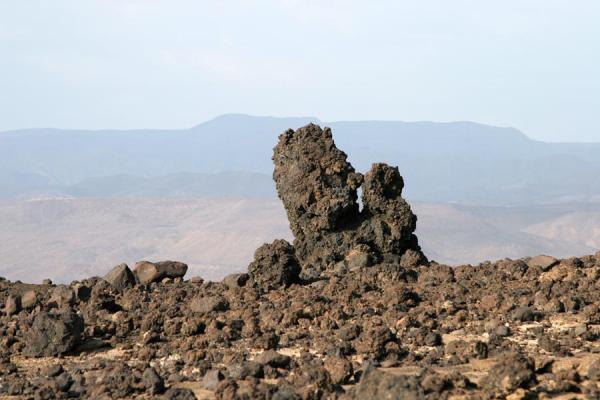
x,y
318,187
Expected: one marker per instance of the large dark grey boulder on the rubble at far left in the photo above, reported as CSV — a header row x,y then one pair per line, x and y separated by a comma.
x,y
53,334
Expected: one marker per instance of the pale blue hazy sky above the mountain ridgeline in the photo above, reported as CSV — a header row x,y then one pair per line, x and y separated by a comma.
x,y
529,64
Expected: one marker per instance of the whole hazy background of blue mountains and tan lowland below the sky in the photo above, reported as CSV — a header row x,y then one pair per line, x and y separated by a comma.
x,y
212,201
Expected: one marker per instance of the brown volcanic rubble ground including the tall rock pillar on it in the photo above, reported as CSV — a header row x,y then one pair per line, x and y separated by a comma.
x,y
351,310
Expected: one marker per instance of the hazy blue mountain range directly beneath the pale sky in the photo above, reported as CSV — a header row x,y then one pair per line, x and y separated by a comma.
x,y
461,162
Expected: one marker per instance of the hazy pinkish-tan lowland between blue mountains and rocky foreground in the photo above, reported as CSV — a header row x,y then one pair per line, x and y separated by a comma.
x,y
67,239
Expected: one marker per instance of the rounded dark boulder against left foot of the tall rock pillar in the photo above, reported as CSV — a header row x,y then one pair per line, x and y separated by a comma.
x,y
275,266
